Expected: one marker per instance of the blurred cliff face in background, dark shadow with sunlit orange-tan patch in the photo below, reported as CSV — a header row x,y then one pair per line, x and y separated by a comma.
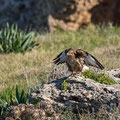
x,y
67,14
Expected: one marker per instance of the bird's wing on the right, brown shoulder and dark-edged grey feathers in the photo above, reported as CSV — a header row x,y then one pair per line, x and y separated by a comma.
x,y
89,59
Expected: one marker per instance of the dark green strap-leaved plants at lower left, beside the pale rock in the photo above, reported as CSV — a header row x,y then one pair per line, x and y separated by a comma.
x,y
20,97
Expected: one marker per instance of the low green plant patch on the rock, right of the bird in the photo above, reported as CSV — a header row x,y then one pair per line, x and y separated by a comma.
x,y
99,77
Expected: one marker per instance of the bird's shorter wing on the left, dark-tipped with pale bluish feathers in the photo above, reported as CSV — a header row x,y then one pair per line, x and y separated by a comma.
x,y
62,57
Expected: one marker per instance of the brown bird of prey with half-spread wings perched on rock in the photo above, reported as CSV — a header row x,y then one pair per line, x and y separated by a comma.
x,y
76,59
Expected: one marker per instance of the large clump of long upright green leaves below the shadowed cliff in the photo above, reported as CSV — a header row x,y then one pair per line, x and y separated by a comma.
x,y
14,40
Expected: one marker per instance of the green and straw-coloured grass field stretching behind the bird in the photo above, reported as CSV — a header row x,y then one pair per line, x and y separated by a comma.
x,y
32,68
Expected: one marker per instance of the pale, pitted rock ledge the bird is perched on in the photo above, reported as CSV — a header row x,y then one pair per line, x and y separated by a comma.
x,y
85,93
